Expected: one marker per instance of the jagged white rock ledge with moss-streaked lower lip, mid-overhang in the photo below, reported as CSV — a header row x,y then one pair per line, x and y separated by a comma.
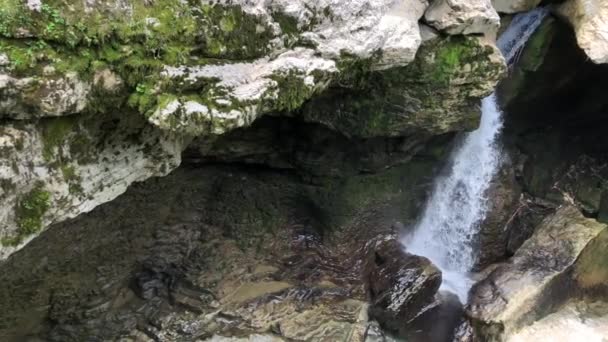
x,y
245,87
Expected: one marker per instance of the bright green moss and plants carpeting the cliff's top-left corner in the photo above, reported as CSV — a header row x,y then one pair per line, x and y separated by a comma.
x,y
133,39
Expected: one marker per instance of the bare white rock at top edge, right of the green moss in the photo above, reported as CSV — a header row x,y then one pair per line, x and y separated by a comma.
x,y
356,27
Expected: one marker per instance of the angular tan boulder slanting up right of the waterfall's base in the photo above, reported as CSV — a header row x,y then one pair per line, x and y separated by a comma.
x,y
516,293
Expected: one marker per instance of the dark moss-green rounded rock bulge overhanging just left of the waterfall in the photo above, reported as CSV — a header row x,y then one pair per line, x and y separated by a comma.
x,y
436,94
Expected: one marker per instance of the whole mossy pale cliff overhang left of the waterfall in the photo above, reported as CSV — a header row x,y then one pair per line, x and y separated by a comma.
x,y
96,95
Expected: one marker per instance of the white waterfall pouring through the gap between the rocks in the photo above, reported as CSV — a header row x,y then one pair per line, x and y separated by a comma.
x,y
451,219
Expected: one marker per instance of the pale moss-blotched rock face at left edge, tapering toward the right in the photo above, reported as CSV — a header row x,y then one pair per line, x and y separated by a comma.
x,y
72,173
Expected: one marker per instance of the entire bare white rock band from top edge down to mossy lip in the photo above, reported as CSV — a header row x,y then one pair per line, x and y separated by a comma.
x,y
244,91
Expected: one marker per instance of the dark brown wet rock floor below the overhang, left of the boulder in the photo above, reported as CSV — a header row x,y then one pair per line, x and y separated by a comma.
x,y
206,253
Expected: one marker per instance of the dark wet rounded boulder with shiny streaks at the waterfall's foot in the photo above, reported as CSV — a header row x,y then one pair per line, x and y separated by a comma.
x,y
400,285
